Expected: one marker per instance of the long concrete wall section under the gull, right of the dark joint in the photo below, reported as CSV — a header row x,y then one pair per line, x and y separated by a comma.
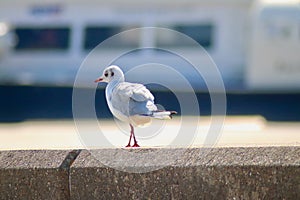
x,y
220,173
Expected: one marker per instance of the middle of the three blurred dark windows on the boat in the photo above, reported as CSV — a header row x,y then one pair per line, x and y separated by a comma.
x,y
94,35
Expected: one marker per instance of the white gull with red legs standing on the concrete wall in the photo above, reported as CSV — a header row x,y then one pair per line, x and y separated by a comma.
x,y
129,102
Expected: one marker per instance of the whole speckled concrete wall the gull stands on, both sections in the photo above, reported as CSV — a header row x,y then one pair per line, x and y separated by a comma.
x,y
223,173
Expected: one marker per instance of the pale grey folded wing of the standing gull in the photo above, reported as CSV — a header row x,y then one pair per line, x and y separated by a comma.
x,y
132,99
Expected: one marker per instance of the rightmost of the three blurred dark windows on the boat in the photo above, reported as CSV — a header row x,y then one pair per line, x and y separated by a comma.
x,y
203,34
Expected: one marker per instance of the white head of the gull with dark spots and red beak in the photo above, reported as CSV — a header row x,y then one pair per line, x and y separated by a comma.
x,y
111,73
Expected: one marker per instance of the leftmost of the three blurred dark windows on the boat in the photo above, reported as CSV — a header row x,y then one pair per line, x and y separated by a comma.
x,y
42,38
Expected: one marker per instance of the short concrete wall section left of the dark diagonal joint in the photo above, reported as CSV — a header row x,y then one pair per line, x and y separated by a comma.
x,y
33,175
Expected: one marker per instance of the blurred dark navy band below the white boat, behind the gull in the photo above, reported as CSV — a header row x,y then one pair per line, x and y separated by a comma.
x,y
20,103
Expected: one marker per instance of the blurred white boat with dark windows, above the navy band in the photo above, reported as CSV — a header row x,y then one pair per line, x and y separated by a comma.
x,y
45,43
